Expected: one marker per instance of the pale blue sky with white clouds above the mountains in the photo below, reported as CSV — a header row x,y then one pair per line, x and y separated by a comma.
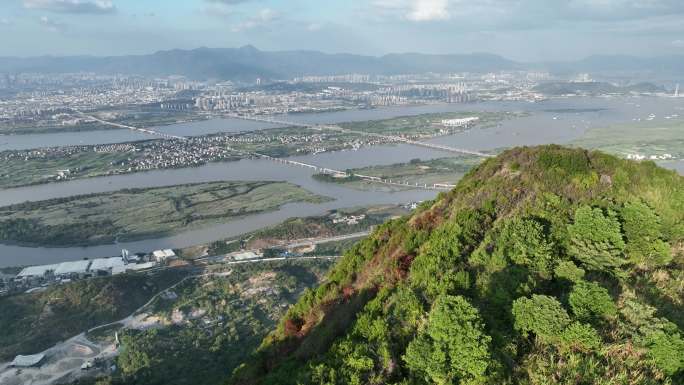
x,y
524,30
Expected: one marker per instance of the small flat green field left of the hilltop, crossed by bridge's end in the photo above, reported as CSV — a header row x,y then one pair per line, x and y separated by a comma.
x,y
442,171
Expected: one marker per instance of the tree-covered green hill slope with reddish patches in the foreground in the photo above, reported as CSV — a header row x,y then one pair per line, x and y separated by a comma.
x,y
545,265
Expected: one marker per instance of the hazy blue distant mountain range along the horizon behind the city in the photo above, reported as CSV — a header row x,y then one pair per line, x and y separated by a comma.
x,y
248,63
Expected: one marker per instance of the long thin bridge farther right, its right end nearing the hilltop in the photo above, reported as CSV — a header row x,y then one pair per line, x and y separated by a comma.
x,y
394,138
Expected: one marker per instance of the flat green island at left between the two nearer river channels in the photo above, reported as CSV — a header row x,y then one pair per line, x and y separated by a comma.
x,y
141,213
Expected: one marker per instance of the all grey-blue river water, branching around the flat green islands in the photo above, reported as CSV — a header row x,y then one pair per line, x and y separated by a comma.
x,y
553,121
